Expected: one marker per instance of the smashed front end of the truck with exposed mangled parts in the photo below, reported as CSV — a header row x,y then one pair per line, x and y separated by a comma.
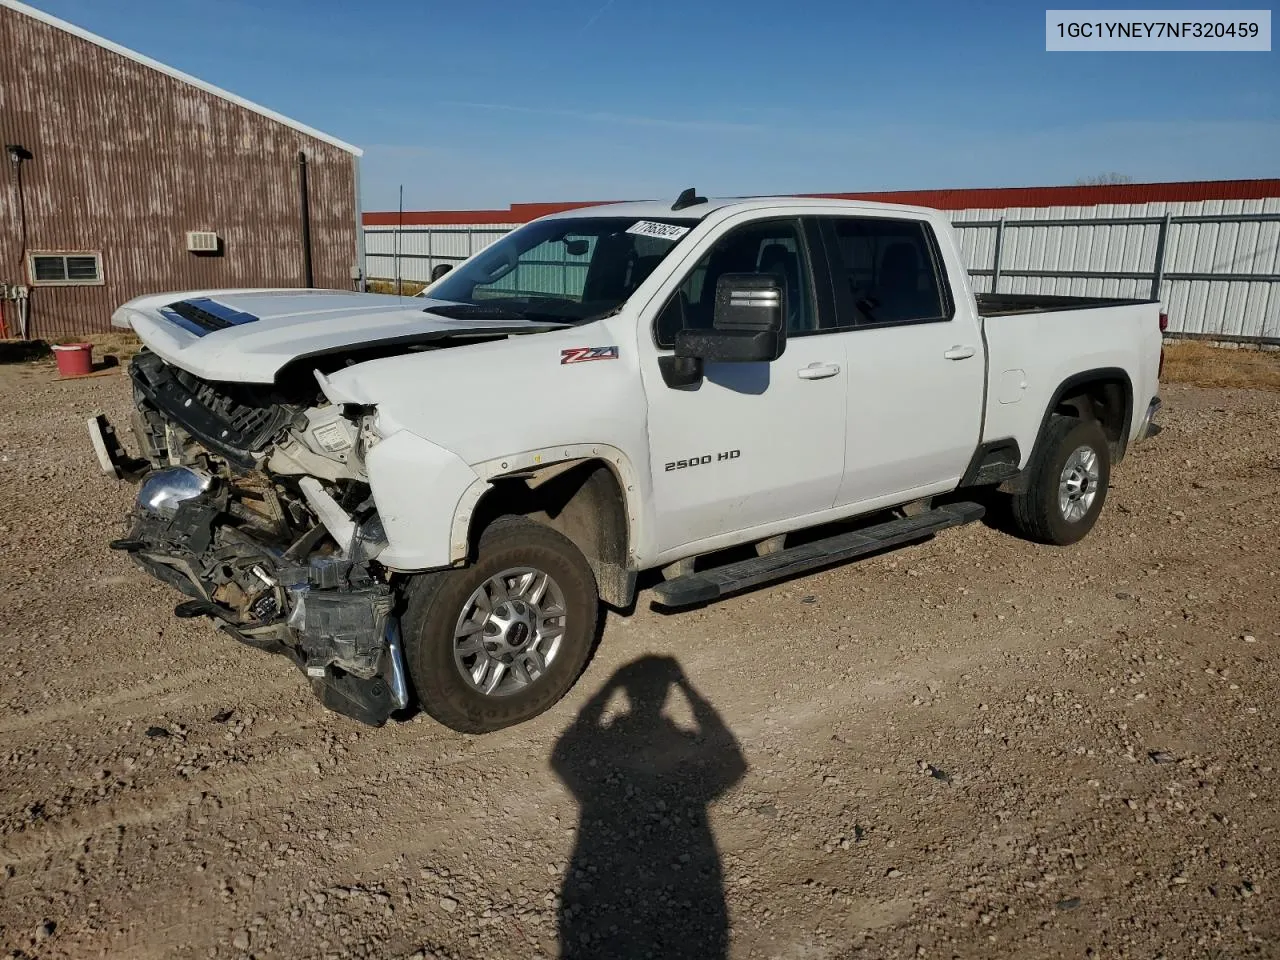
x,y
254,502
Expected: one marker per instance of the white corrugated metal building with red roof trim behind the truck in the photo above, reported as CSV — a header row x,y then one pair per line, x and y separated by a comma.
x,y
1209,250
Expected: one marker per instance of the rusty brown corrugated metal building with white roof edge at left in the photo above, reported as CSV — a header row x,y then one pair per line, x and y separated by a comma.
x,y
113,159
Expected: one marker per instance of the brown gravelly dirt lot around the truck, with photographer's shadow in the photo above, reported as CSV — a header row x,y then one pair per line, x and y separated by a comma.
x,y
972,748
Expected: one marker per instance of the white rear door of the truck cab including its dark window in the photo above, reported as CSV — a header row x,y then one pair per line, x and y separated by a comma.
x,y
916,362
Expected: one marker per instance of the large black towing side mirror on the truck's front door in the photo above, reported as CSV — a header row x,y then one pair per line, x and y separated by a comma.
x,y
748,327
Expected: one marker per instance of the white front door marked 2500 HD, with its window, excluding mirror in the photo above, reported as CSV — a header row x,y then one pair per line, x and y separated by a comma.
x,y
756,445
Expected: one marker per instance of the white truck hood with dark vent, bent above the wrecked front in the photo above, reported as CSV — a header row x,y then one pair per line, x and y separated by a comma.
x,y
249,336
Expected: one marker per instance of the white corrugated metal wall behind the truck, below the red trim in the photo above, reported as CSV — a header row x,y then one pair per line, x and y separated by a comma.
x,y
1218,275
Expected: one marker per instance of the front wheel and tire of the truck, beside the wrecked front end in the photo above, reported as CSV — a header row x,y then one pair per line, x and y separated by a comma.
x,y
445,606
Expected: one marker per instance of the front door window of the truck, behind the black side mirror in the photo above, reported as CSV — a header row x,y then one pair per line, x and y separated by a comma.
x,y
771,248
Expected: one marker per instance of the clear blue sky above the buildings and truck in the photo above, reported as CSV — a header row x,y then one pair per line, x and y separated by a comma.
x,y
495,102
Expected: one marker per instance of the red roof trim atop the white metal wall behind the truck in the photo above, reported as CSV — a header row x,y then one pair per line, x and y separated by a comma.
x,y
996,199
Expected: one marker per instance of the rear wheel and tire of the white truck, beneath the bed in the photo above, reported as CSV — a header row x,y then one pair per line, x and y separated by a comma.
x,y
1039,511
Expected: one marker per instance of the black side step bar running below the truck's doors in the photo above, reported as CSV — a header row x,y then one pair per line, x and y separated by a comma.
x,y
710,586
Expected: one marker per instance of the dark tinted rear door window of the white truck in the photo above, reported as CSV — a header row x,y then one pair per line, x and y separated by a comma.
x,y
890,271
